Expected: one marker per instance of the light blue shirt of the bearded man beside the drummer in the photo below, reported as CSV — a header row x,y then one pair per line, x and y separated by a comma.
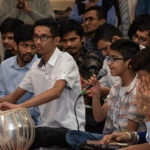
x,y
10,77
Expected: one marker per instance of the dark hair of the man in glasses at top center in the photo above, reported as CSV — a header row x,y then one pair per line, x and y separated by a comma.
x,y
101,13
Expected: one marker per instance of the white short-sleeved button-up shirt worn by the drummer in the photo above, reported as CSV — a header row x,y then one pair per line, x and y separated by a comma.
x,y
59,112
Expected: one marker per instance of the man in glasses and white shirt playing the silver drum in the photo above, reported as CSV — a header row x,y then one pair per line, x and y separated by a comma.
x,y
55,81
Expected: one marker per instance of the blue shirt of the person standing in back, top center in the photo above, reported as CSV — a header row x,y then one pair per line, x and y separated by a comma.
x,y
111,16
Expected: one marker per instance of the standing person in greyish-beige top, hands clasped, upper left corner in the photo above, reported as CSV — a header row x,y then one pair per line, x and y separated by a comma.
x,y
27,10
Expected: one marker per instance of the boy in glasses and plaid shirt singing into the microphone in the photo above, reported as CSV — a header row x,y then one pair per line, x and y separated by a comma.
x,y
118,110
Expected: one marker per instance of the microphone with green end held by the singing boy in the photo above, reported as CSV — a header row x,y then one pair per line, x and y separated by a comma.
x,y
101,73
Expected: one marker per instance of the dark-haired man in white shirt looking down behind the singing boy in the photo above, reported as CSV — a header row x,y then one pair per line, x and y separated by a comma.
x,y
104,36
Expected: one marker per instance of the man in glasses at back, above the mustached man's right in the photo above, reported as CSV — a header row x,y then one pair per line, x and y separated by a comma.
x,y
93,18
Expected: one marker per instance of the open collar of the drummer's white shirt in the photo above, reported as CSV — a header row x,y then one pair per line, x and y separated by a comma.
x,y
52,60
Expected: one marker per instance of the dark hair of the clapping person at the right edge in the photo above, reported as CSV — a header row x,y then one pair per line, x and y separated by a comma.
x,y
142,60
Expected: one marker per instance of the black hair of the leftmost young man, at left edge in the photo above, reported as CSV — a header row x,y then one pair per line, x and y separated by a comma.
x,y
9,25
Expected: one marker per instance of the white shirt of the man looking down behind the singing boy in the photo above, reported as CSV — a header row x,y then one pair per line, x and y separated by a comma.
x,y
109,80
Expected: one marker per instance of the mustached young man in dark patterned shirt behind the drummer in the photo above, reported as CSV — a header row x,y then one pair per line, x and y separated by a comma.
x,y
72,42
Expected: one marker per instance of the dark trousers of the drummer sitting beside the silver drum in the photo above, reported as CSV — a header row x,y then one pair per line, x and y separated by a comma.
x,y
48,137
